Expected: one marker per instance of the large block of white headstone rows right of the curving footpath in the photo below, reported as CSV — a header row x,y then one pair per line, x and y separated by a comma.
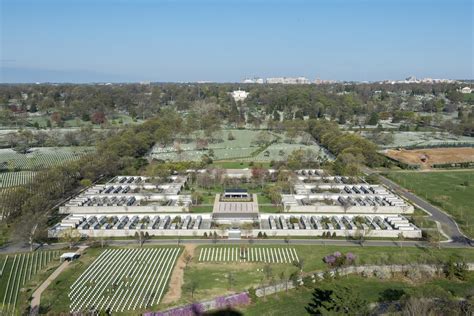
x,y
122,280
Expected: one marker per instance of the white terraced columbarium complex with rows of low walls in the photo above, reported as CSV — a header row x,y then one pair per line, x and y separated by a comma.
x,y
319,205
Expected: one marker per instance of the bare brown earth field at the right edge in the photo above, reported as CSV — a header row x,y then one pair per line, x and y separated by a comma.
x,y
432,155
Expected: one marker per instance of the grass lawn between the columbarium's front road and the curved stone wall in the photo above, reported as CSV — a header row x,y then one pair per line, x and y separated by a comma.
x,y
213,277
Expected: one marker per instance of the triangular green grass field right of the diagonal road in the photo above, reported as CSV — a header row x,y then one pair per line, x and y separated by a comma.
x,y
453,191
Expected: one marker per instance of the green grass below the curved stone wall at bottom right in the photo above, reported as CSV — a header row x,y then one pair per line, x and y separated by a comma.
x,y
371,289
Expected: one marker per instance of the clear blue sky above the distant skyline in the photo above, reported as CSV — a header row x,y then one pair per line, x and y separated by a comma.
x,y
227,40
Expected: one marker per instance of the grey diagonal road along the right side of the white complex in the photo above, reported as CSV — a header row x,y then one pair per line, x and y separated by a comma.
x,y
449,226
